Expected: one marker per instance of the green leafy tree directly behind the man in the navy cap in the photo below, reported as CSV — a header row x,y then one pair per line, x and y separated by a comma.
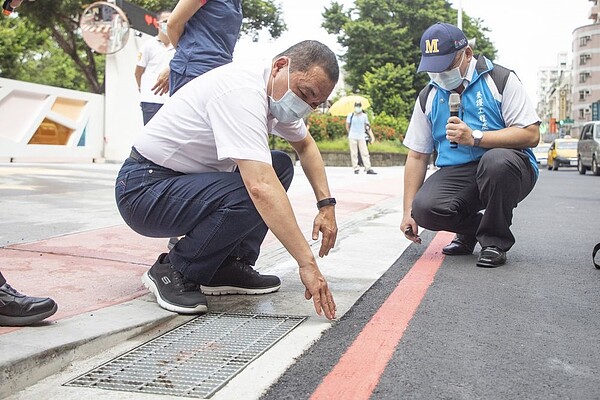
x,y
382,38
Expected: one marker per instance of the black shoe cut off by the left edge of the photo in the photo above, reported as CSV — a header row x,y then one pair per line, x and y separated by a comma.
x,y
16,309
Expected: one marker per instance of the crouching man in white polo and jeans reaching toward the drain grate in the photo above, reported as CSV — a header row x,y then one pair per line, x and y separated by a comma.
x,y
202,169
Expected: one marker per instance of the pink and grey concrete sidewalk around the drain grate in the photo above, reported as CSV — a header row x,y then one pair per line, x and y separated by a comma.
x,y
63,238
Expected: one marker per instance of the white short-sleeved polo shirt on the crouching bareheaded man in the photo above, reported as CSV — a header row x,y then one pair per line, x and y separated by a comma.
x,y
217,117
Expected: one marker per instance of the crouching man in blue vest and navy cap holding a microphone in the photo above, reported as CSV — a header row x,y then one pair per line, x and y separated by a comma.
x,y
485,165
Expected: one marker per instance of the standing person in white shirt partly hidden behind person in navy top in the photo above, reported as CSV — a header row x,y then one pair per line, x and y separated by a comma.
x,y
155,54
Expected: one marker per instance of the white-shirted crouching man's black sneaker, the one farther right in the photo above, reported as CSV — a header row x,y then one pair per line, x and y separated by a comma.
x,y
238,277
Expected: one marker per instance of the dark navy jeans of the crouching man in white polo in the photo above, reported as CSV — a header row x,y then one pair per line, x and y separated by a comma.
x,y
212,210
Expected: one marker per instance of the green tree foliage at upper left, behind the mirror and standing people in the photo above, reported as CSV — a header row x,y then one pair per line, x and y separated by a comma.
x,y
44,44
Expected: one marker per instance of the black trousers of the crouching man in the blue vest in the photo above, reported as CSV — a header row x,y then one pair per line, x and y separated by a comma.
x,y
451,198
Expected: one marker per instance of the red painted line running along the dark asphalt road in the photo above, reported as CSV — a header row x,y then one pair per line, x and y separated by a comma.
x,y
357,373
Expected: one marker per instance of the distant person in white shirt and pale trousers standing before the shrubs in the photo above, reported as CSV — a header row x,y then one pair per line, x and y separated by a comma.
x,y
357,126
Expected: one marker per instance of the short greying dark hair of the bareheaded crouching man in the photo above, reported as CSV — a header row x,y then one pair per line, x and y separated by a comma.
x,y
310,53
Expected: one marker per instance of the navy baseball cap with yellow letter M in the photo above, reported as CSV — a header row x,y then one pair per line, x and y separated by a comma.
x,y
439,45
